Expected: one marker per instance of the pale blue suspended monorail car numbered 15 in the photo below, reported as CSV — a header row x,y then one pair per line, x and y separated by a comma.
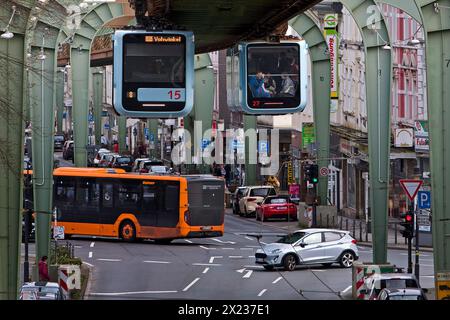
x,y
153,73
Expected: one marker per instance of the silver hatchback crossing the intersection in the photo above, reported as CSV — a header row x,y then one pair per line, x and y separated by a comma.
x,y
309,246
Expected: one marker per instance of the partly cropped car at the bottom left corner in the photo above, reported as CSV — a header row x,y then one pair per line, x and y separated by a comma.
x,y
42,290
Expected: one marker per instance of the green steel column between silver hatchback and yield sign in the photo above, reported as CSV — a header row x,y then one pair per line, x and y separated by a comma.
x,y
373,29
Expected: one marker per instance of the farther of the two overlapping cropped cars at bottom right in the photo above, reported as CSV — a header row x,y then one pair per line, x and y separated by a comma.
x,y
377,282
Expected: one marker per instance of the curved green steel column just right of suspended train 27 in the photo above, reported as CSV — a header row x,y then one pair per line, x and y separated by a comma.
x,y
321,75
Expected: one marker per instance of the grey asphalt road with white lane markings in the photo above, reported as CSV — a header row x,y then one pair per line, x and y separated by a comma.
x,y
214,269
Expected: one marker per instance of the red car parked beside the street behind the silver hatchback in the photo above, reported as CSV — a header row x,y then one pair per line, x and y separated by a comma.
x,y
276,207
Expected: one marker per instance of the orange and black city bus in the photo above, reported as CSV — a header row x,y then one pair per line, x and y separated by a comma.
x,y
112,203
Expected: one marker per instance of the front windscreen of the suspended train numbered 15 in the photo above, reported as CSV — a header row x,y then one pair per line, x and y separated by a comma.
x,y
161,65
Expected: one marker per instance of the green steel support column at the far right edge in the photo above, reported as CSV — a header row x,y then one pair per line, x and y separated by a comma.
x,y
436,18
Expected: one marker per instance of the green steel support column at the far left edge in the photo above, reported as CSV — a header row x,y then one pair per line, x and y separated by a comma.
x,y
11,153
